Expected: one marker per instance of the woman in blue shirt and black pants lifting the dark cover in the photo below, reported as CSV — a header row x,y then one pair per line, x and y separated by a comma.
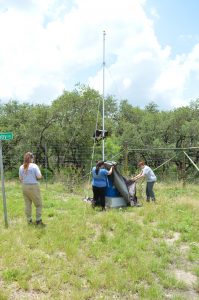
x,y
99,183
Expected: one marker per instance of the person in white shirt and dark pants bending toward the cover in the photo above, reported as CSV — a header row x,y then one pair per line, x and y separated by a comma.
x,y
148,173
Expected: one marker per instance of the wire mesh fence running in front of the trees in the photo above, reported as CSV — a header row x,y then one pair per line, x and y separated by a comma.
x,y
73,168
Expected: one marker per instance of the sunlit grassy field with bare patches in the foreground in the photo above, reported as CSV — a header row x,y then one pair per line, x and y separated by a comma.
x,y
149,252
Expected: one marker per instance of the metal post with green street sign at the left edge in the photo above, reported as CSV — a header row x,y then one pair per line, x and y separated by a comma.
x,y
4,136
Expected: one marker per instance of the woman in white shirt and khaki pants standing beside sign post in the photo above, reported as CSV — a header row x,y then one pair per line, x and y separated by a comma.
x,y
29,174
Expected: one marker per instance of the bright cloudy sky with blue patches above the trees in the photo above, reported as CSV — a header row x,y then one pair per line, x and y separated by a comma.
x,y
152,49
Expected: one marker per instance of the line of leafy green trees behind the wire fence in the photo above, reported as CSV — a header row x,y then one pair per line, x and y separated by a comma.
x,y
61,134
